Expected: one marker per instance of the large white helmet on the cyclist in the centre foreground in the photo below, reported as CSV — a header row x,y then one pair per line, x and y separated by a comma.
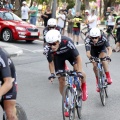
x,y
53,36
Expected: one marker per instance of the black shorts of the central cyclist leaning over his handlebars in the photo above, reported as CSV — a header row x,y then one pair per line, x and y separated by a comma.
x,y
59,61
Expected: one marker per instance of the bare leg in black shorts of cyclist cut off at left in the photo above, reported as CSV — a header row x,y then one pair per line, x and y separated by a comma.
x,y
9,102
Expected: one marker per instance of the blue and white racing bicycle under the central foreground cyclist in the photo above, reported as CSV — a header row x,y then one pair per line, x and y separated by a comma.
x,y
72,95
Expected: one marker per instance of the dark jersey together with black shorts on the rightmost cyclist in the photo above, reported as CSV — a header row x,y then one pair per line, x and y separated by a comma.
x,y
97,48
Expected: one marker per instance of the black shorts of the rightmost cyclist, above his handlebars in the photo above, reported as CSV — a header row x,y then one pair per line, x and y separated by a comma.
x,y
96,50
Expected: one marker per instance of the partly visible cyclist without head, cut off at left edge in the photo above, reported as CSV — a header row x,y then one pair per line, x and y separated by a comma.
x,y
8,89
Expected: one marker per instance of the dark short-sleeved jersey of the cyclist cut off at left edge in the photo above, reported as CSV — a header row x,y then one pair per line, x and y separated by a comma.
x,y
7,68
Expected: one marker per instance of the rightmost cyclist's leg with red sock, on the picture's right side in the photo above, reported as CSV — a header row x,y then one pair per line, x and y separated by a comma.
x,y
105,66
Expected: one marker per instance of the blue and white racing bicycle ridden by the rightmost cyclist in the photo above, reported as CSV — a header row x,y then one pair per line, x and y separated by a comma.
x,y
102,81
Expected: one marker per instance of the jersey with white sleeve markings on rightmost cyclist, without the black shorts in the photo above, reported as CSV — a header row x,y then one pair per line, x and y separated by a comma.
x,y
101,42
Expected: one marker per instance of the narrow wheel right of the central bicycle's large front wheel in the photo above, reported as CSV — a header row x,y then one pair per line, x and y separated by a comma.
x,y
79,104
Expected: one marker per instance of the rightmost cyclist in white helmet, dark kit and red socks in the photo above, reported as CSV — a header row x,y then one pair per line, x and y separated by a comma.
x,y
96,45
